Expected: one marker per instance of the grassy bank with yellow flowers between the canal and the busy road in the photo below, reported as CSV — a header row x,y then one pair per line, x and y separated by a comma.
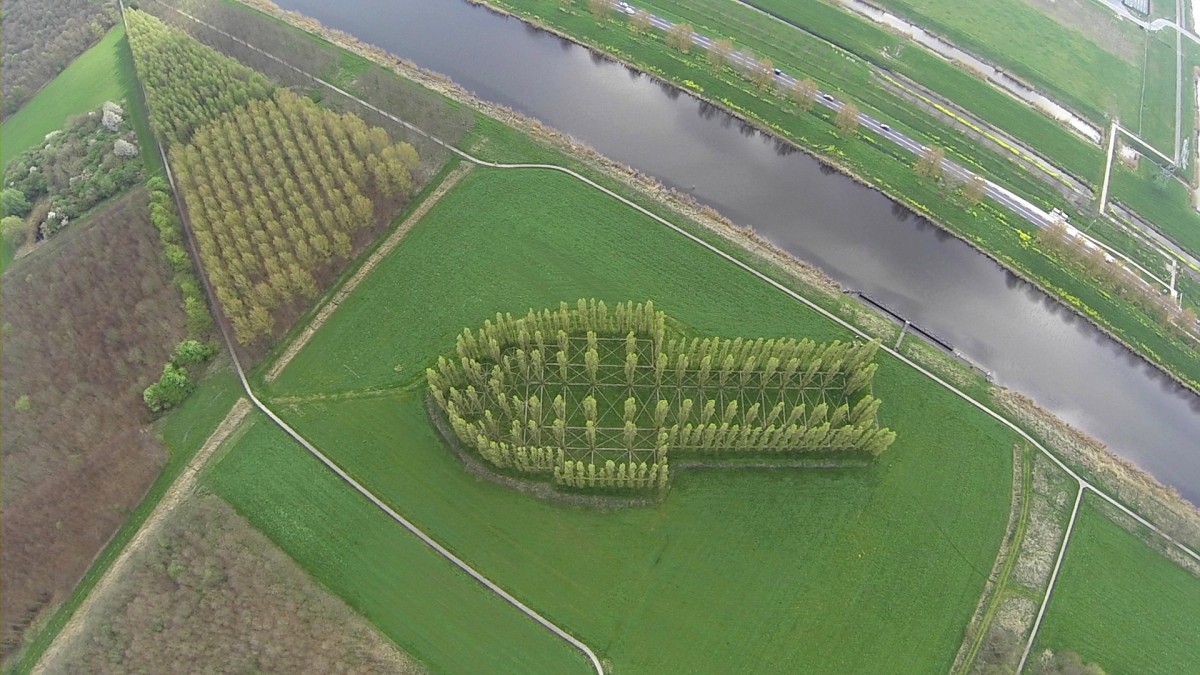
x,y
1001,235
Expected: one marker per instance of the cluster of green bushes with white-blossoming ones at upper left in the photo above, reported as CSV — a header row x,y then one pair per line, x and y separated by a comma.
x,y
91,160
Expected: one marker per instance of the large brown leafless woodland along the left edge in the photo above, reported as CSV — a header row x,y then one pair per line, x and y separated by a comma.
x,y
89,320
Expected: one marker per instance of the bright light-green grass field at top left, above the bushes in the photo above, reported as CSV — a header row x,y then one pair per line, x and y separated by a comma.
x,y
104,73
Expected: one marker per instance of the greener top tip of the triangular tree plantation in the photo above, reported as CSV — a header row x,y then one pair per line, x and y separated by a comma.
x,y
187,83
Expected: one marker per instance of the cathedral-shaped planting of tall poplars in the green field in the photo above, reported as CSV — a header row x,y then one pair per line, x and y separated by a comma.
x,y
599,399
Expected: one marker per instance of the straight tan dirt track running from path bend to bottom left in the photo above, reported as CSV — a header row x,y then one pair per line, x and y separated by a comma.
x,y
178,492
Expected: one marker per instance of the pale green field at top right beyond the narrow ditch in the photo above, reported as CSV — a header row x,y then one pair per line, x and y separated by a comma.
x,y
1072,67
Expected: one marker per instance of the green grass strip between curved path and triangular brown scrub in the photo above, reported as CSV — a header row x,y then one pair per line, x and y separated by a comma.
x,y
422,602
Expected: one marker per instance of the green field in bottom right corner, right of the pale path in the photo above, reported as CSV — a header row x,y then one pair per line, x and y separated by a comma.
x,y
1121,605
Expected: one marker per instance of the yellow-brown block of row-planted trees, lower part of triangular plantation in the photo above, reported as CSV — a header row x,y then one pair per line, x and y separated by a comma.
x,y
277,192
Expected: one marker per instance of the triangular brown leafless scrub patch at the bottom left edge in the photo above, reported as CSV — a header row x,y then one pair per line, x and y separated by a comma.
x,y
213,595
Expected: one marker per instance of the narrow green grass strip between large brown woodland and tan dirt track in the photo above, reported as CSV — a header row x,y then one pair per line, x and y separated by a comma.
x,y
184,432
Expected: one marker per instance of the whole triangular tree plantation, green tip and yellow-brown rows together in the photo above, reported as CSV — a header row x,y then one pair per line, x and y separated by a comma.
x,y
280,193
